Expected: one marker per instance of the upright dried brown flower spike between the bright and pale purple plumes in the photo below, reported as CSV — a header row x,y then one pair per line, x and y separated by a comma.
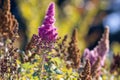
x,y
73,51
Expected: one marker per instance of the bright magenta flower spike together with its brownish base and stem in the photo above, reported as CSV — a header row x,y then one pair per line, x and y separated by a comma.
x,y
47,36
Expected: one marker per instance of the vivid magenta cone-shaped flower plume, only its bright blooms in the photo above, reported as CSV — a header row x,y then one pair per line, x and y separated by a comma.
x,y
47,31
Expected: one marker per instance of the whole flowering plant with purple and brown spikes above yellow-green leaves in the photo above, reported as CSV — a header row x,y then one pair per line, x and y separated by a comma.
x,y
47,56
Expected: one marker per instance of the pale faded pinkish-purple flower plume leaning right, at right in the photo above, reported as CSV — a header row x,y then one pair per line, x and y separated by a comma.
x,y
100,50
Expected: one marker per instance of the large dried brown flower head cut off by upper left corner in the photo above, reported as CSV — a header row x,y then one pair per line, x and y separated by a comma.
x,y
8,23
